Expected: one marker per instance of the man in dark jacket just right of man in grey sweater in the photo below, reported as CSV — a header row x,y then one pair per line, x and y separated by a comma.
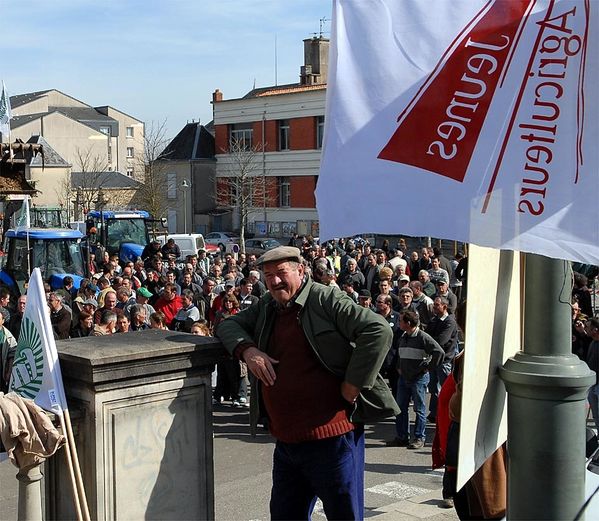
x,y
444,329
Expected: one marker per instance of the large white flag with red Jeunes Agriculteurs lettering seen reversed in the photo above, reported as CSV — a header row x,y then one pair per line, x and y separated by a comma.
x,y
472,120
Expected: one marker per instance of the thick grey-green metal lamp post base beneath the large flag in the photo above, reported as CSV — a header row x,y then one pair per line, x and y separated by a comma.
x,y
547,387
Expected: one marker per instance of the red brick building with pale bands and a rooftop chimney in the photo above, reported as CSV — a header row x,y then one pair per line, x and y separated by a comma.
x,y
281,129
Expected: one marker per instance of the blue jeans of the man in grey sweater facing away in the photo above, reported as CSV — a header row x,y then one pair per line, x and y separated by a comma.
x,y
415,390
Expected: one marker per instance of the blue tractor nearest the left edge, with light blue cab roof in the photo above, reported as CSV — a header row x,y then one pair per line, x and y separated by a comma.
x,y
57,252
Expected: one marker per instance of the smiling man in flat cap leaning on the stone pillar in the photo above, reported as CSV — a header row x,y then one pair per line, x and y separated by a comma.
x,y
316,356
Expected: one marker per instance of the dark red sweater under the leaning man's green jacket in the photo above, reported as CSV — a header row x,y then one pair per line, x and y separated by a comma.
x,y
305,402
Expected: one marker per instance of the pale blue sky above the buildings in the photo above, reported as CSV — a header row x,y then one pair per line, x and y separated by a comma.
x,y
157,60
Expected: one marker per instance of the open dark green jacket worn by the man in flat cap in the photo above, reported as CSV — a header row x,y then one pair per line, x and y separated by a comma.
x,y
349,340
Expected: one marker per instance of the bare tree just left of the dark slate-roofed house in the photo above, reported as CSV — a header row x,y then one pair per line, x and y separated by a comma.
x,y
152,195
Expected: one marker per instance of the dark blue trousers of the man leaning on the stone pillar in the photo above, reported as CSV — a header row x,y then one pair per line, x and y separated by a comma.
x,y
331,469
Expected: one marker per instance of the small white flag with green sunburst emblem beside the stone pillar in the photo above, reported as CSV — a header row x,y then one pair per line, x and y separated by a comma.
x,y
36,371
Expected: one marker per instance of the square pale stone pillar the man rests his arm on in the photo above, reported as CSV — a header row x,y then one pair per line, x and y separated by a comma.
x,y
142,416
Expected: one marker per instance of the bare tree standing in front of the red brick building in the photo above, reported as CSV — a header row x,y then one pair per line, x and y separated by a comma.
x,y
244,186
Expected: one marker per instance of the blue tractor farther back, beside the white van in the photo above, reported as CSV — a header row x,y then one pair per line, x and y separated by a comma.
x,y
121,232
